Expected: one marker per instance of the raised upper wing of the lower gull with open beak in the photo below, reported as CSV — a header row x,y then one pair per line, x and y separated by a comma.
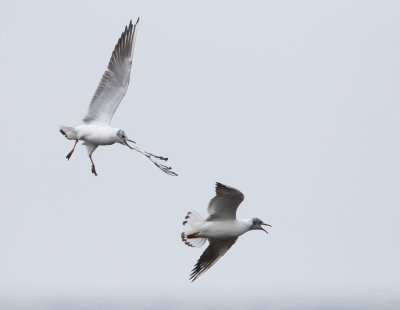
x,y
225,203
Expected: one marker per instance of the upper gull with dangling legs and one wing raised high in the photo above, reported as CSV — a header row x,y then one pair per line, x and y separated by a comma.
x,y
96,129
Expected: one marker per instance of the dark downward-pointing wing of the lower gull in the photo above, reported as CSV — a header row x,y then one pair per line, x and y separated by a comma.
x,y
216,249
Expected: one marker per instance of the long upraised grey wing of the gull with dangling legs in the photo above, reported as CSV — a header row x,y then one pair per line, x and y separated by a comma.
x,y
115,80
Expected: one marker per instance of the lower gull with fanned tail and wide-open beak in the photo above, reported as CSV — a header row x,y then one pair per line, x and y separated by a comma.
x,y
221,228
